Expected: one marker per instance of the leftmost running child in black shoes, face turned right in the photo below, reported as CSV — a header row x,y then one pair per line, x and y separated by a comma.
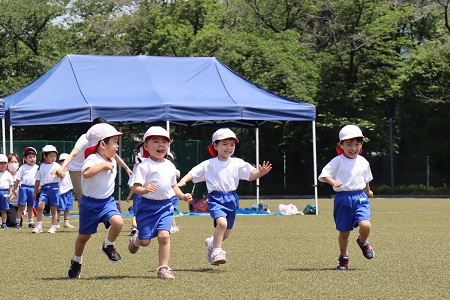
x,y
97,205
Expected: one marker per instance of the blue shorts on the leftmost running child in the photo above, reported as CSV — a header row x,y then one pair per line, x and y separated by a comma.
x,y
94,211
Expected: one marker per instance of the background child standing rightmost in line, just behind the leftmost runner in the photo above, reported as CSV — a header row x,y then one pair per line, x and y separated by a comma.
x,y
65,196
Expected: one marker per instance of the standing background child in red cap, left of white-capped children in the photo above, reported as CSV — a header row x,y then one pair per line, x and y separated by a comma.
x,y
25,180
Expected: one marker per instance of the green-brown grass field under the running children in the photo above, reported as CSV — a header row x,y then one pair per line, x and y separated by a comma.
x,y
269,257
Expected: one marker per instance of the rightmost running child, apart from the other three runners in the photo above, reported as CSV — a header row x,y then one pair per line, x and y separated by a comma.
x,y
349,173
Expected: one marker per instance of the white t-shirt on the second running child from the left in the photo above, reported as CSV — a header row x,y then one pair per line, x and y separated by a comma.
x,y
162,174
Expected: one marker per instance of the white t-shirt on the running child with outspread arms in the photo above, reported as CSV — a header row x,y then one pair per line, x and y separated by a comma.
x,y
222,176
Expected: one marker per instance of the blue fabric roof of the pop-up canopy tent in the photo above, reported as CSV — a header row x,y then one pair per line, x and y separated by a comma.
x,y
135,89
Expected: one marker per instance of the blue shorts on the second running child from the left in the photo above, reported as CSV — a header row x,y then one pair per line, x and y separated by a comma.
x,y
153,216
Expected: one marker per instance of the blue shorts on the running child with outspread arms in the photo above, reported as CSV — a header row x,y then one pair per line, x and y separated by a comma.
x,y
223,204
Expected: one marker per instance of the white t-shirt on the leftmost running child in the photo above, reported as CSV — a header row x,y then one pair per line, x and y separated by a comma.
x,y
100,186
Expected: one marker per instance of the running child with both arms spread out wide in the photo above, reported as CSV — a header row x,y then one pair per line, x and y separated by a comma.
x,y
222,174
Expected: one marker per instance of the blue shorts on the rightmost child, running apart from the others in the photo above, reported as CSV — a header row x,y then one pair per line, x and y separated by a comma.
x,y
350,208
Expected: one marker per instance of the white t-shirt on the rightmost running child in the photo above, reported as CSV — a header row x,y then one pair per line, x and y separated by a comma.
x,y
353,173
